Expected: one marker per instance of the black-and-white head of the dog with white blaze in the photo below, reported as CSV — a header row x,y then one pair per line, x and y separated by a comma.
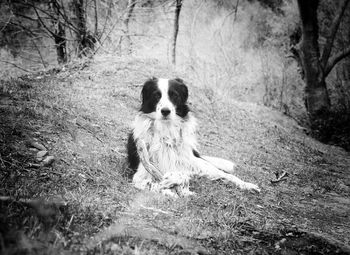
x,y
165,99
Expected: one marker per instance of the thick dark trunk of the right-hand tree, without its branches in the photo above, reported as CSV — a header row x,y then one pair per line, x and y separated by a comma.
x,y
316,94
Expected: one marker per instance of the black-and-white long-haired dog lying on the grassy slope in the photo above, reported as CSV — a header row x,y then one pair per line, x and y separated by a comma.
x,y
162,148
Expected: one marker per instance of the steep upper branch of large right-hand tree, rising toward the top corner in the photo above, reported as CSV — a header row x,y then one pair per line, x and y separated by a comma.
x,y
333,30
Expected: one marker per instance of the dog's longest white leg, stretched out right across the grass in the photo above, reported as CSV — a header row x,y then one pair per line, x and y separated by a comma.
x,y
210,171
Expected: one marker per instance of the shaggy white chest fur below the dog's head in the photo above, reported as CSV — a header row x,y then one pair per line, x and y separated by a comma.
x,y
169,143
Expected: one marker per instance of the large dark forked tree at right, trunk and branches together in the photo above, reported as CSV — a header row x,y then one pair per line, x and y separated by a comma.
x,y
317,66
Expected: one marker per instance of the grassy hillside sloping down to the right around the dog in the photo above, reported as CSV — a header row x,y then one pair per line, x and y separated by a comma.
x,y
83,201
